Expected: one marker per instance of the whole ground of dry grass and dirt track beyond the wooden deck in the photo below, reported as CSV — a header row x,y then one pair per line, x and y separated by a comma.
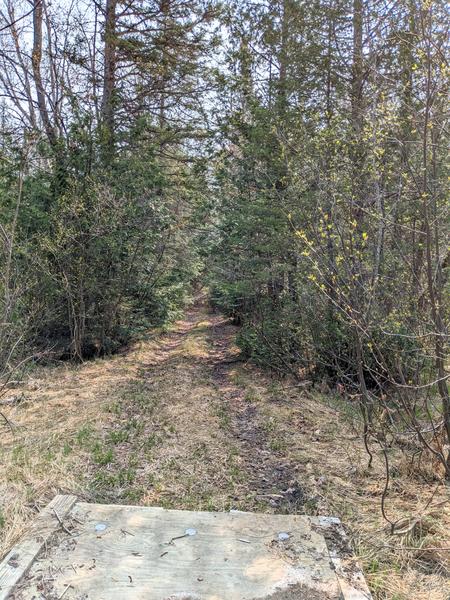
x,y
180,421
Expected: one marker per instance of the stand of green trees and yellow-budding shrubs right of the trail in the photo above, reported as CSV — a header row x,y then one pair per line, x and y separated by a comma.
x,y
318,247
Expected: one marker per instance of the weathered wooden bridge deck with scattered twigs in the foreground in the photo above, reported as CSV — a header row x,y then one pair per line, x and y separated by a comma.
x,y
81,551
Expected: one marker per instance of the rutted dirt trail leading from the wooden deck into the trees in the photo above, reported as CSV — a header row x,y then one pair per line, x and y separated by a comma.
x,y
212,426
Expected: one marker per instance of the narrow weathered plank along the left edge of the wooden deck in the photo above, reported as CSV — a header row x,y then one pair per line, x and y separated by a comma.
x,y
18,561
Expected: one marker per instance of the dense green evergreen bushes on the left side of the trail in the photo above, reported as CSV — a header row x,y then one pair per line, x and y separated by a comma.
x,y
104,254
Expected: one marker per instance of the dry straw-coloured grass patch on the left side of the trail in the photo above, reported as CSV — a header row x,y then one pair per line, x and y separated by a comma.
x,y
55,404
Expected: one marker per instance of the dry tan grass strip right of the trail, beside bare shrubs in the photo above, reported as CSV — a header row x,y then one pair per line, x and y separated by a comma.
x,y
333,463
